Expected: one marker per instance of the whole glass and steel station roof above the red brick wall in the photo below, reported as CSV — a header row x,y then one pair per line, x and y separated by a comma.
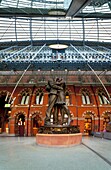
x,y
24,23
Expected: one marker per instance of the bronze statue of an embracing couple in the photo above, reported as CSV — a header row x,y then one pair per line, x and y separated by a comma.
x,y
57,105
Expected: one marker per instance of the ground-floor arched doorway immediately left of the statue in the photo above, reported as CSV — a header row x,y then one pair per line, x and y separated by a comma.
x,y
36,122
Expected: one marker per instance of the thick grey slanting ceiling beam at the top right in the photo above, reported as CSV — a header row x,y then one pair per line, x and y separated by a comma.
x,y
76,6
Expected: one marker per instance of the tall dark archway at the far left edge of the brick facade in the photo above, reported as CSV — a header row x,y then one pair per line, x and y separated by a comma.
x,y
4,113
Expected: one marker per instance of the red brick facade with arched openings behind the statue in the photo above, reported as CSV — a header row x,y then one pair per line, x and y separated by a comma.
x,y
90,117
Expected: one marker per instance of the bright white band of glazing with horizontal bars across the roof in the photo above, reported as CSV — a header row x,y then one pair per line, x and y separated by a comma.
x,y
33,29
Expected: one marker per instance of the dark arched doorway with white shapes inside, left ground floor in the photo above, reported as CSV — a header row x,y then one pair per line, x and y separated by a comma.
x,y
20,125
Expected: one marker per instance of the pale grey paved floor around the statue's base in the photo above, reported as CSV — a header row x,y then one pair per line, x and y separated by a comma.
x,y
22,153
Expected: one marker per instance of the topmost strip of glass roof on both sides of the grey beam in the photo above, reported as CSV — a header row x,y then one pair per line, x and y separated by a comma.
x,y
42,7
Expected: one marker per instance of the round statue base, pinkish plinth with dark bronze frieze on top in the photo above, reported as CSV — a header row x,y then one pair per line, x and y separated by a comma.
x,y
59,136
